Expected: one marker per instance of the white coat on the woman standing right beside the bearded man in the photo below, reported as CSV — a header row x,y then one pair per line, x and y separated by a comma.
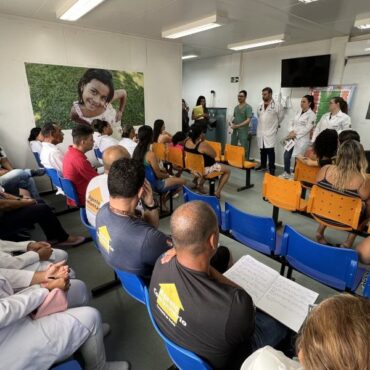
x,y
302,125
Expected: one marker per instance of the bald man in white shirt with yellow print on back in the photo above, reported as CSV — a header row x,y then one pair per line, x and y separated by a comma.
x,y
97,193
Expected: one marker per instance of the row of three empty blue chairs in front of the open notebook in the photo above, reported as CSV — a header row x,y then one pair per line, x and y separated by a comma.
x,y
335,267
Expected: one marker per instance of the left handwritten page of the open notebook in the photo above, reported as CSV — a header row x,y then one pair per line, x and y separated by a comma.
x,y
253,276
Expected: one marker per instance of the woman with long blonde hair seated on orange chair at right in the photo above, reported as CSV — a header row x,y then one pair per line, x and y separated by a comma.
x,y
347,176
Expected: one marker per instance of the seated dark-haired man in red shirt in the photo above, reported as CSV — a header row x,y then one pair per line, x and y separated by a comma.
x,y
76,166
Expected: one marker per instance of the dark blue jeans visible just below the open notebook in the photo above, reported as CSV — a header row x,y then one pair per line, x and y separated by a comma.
x,y
268,332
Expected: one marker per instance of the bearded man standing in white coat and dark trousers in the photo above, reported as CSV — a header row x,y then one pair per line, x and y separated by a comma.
x,y
270,114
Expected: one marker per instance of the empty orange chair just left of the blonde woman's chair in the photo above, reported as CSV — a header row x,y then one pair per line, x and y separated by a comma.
x,y
282,193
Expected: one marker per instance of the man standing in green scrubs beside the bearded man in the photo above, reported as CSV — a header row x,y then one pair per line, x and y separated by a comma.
x,y
240,123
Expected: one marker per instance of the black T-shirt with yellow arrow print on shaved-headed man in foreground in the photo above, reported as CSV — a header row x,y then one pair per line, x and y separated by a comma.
x,y
211,319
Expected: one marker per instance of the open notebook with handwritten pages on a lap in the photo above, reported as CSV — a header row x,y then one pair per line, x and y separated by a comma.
x,y
272,293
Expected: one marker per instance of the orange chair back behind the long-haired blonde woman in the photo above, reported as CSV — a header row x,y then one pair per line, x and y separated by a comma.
x,y
334,210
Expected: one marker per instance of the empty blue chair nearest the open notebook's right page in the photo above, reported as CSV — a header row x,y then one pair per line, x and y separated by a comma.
x,y
335,267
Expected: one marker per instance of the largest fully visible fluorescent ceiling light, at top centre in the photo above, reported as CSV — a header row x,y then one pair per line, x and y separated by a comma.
x,y
199,25
